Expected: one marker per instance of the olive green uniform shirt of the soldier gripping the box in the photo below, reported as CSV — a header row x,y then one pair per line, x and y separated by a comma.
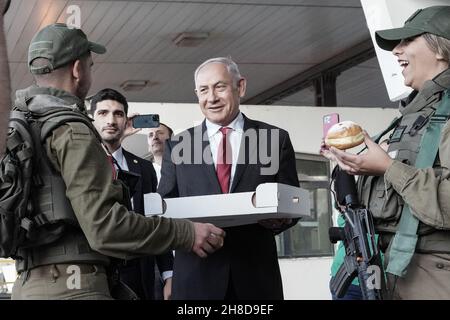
x,y
112,230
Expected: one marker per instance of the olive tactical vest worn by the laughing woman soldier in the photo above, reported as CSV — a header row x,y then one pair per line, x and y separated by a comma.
x,y
384,202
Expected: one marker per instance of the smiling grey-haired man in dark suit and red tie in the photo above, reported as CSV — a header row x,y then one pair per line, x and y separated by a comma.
x,y
236,155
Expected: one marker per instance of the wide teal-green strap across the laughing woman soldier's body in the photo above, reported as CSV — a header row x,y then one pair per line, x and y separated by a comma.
x,y
405,239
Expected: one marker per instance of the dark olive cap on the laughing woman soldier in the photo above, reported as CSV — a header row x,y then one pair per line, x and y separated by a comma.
x,y
434,20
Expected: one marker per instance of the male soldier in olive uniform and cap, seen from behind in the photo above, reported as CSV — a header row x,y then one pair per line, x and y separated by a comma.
x,y
79,198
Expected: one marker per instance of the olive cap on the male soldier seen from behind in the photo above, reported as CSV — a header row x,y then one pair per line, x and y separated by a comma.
x,y
60,45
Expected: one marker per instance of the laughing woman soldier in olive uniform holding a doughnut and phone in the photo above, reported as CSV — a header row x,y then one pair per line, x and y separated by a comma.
x,y
407,188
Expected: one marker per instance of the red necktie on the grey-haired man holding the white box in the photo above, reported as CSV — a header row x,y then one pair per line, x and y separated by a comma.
x,y
224,157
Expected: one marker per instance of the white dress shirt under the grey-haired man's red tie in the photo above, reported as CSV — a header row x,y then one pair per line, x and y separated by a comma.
x,y
234,137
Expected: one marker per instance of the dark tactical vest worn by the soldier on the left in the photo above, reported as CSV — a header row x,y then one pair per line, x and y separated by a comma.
x,y
58,237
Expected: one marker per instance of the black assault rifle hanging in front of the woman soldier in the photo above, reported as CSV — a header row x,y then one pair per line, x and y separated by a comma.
x,y
362,256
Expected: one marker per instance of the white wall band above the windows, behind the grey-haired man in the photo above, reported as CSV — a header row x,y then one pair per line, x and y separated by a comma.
x,y
304,124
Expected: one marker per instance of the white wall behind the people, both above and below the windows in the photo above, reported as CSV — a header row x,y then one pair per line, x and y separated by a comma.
x,y
303,278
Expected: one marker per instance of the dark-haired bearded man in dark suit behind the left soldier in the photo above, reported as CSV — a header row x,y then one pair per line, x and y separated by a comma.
x,y
110,109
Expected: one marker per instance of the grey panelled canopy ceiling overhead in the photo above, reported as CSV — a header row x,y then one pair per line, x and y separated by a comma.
x,y
271,40
